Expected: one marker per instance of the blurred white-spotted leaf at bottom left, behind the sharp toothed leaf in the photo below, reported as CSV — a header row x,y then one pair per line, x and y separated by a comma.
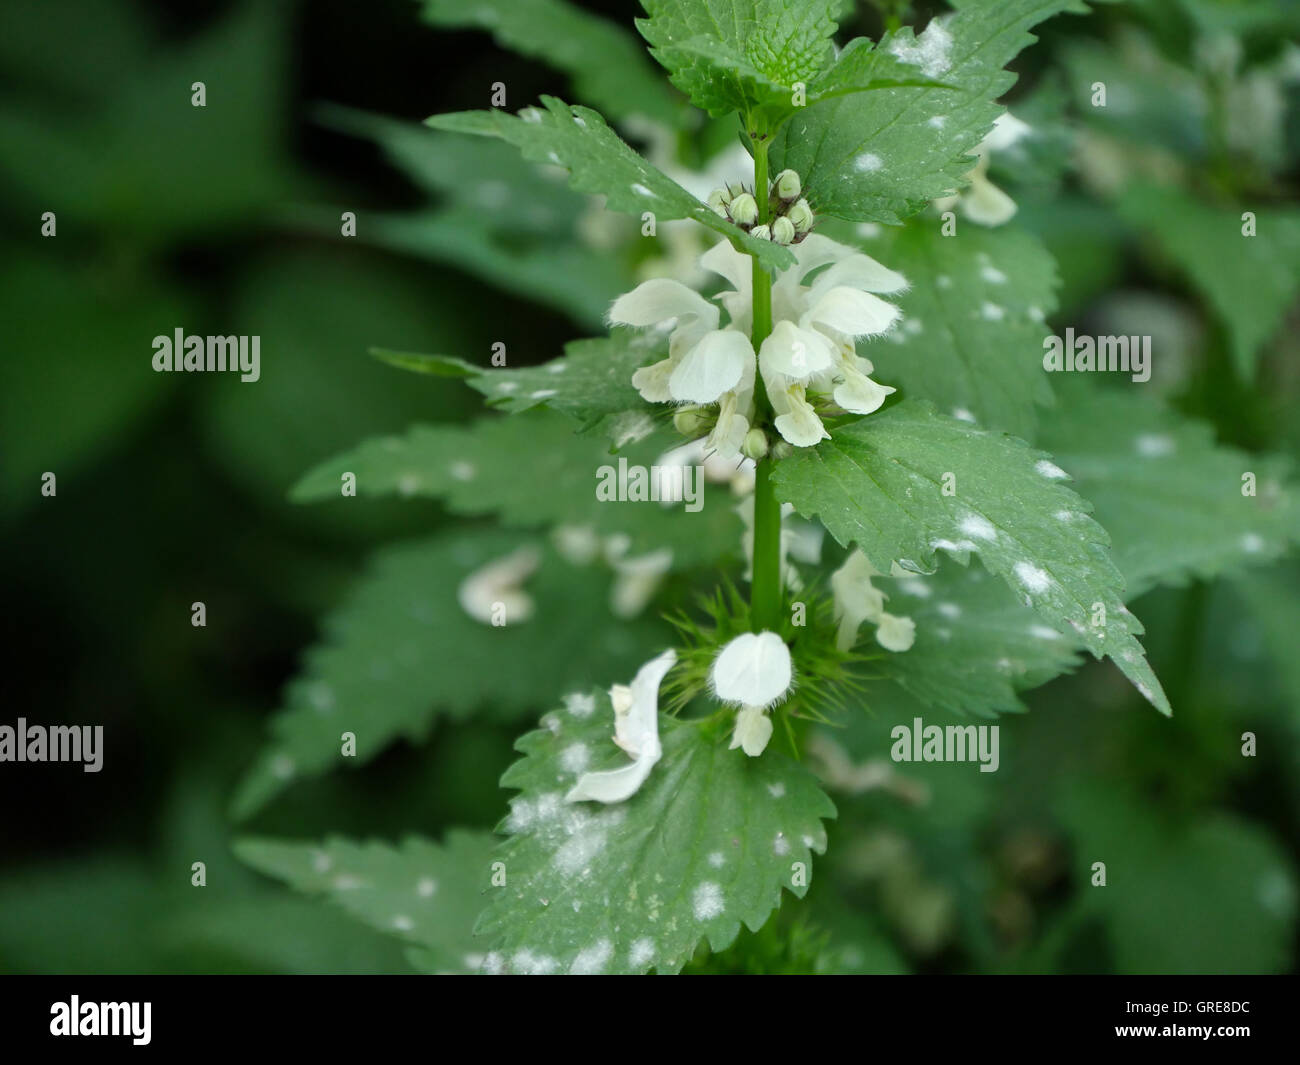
x,y
426,894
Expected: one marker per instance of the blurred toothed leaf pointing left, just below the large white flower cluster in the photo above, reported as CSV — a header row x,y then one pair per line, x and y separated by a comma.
x,y
530,471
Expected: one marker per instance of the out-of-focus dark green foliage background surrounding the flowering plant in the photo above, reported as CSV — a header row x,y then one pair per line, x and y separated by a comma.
x,y
172,490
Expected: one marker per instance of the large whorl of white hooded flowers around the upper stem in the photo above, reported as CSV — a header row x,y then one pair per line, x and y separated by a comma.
x,y
811,349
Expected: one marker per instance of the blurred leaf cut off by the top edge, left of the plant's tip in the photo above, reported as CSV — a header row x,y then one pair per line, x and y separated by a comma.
x,y
608,64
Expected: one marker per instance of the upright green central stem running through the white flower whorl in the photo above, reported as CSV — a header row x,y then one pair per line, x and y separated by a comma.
x,y
766,585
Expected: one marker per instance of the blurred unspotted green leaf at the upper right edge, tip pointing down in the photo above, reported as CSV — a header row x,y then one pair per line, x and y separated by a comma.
x,y
1250,282
